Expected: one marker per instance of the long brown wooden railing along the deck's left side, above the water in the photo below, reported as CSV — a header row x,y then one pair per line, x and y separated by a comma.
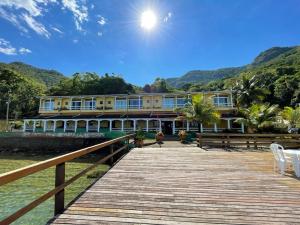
x,y
60,182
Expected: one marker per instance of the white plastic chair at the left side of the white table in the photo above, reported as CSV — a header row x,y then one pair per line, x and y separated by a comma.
x,y
281,161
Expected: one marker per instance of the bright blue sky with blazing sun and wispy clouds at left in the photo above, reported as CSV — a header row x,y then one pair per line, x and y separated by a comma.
x,y
106,36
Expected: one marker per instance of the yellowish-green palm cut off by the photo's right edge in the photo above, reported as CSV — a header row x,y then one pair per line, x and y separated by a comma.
x,y
290,117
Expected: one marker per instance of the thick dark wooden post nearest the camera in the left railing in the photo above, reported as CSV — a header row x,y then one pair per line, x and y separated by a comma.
x,y
59,204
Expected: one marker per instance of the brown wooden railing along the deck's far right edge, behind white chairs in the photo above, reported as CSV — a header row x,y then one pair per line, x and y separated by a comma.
x,y
226,140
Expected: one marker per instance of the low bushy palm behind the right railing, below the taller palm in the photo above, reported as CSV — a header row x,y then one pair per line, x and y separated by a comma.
x,y
258,116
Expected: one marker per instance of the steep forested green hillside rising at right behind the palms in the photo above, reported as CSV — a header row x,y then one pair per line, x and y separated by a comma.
x,y
276,70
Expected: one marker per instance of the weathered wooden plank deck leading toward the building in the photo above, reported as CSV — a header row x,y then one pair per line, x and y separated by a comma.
x,y
189,186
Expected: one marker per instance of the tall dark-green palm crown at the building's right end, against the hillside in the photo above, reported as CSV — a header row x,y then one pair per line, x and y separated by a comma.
x,y
246,90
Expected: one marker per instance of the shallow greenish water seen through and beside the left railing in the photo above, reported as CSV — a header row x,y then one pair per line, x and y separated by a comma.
x,y
17,194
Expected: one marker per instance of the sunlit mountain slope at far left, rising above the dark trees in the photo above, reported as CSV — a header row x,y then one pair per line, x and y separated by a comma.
x,y
43,76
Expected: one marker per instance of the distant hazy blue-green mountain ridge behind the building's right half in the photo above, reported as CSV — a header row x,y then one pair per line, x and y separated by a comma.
x,y
203,76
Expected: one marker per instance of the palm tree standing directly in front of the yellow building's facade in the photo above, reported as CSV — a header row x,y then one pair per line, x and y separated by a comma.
x,y
200,110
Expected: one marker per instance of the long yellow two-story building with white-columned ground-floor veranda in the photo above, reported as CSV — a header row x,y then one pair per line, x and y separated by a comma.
x,y
122,112
